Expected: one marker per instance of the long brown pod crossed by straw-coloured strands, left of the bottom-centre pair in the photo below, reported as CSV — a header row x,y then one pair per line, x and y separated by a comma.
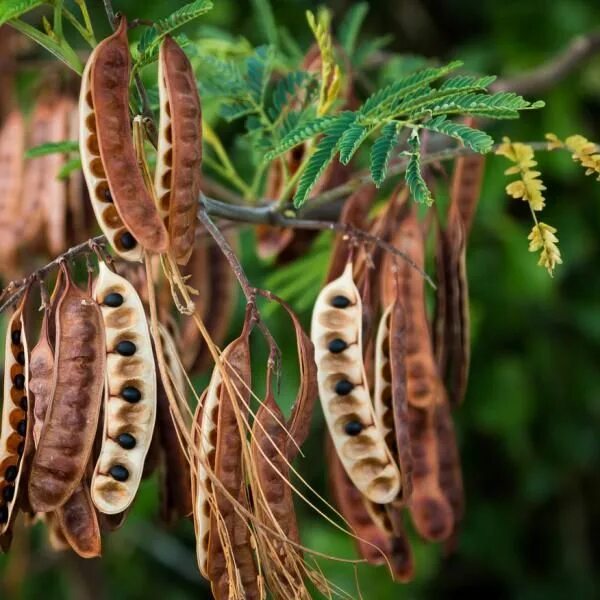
x,y
229,541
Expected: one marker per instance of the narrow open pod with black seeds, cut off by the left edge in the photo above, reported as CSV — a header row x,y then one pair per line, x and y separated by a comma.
x,y
15,435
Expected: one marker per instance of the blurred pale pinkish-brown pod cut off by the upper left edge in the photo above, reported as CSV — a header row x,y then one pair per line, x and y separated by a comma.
x,y
12,149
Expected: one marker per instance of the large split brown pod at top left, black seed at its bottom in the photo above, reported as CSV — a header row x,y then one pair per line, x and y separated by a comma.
x,y
124,208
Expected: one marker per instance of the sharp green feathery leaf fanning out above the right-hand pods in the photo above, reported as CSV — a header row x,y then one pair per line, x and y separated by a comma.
x,y
413,102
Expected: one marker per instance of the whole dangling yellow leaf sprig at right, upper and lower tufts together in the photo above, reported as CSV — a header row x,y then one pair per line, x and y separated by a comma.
x,y
529,187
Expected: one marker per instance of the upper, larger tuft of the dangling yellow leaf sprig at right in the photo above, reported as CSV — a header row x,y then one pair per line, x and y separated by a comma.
x,y
529,187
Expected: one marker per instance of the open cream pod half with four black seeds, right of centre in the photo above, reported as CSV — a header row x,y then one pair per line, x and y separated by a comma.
x,y
337,336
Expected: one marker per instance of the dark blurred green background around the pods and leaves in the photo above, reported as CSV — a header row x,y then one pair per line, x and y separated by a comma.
x,y
529,428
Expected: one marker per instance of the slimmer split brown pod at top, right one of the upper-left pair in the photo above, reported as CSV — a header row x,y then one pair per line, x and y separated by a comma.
x,y
177,178
